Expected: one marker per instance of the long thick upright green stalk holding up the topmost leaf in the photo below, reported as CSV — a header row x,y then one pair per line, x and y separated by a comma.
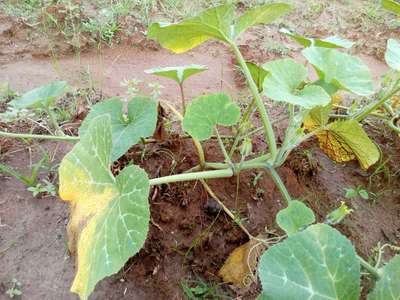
x,y
268,130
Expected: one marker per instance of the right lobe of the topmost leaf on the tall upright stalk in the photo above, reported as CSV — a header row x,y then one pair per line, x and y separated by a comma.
x,y
264,14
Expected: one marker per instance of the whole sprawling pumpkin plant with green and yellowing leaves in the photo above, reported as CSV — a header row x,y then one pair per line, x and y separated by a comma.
x,y
110,214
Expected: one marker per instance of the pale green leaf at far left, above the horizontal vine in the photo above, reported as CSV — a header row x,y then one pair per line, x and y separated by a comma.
x,y
41,97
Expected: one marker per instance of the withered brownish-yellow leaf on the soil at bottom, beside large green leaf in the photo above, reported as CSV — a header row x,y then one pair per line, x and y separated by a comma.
x,y
239,267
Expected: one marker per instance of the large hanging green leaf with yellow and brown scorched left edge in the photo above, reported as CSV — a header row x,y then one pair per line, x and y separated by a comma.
x,y
109,216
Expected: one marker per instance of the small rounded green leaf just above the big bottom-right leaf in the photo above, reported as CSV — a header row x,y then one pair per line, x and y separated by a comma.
x,y
295,217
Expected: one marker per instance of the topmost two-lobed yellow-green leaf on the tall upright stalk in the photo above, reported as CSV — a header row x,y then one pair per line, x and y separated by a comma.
x,y
215,23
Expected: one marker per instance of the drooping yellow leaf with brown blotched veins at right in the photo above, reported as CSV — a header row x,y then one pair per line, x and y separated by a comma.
x,y
346,140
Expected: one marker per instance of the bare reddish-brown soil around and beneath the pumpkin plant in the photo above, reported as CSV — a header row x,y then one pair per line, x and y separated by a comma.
x,y
189,239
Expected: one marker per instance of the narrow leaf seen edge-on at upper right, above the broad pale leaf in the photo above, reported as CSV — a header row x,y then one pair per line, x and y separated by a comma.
x,y
329,42
